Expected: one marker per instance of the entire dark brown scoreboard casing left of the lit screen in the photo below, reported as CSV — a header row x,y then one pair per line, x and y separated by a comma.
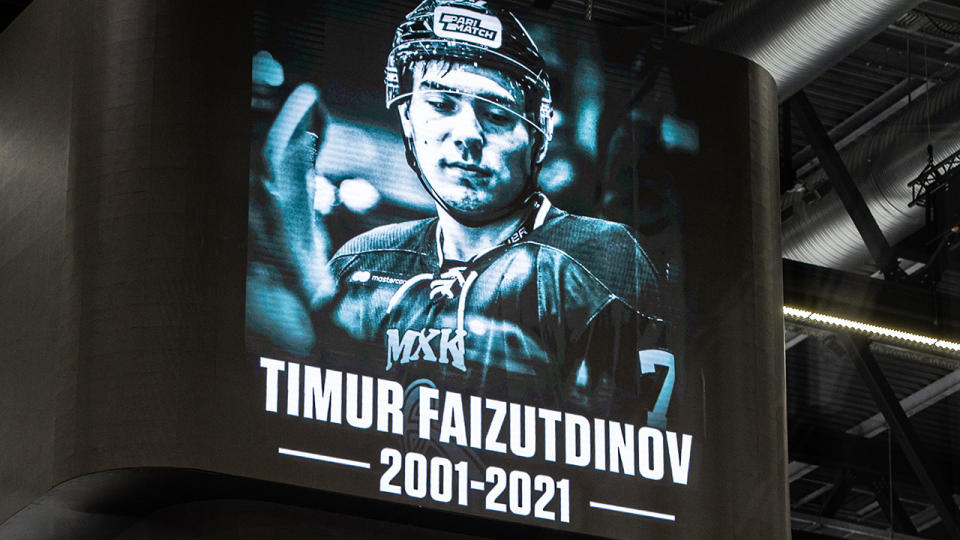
x,y
123,220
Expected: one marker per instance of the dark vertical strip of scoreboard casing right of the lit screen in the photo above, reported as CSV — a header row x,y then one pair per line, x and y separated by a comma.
x,y
738,329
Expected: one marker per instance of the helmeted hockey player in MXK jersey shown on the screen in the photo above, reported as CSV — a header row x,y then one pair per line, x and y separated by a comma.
x,y
501,294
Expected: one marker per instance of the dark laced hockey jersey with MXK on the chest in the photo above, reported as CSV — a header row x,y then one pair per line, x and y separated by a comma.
x,y
554,319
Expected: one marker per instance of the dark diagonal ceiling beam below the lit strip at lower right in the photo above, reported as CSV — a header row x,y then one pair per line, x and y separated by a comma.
x,y
859,351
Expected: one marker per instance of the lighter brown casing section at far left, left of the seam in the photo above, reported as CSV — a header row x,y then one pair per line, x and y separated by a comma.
x,y
36,337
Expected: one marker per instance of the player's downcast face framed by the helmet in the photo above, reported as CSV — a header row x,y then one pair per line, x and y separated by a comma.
x,y
470,141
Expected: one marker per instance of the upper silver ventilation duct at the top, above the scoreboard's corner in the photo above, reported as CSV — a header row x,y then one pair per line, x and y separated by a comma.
x,y
796,40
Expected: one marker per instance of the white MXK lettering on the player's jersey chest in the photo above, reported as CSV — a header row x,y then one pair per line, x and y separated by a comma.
x,y
444,346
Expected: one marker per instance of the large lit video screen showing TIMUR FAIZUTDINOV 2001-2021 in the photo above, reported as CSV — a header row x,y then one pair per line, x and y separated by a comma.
x,y
471,227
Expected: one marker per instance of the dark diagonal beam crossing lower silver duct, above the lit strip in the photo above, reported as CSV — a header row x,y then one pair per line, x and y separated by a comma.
x,y
843,184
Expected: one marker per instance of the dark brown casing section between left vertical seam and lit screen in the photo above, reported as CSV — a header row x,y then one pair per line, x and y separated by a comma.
x,y
157,221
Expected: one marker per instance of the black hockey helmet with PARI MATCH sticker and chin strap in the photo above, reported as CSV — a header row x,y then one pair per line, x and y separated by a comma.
x,y
470,31
